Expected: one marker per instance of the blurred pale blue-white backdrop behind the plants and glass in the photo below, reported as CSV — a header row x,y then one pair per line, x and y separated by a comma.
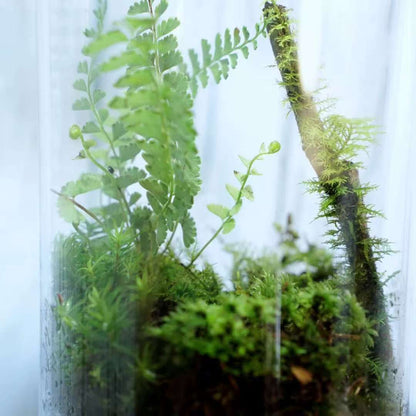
x,y
366,52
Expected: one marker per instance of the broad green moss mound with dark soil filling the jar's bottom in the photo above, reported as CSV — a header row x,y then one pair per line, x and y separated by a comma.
x,y
157,337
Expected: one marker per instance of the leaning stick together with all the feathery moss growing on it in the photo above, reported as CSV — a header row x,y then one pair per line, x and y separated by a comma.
x,y
333,145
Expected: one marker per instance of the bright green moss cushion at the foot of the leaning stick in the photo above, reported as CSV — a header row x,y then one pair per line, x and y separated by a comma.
x,y
324,334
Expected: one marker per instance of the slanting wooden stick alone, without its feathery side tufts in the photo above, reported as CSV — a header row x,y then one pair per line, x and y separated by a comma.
x,y
347,204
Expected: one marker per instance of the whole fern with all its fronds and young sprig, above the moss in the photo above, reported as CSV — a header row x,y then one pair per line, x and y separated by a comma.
x,y
142,142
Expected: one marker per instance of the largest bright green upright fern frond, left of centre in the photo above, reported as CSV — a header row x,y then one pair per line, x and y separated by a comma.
x,y
156,112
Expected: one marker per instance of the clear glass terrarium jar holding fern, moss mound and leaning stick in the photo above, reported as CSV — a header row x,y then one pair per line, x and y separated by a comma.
x,y
141,315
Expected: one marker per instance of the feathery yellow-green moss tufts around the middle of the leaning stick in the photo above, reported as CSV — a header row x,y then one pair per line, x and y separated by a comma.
x,y
345,141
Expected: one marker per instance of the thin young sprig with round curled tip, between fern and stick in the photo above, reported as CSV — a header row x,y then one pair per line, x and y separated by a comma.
x,y
245,191
